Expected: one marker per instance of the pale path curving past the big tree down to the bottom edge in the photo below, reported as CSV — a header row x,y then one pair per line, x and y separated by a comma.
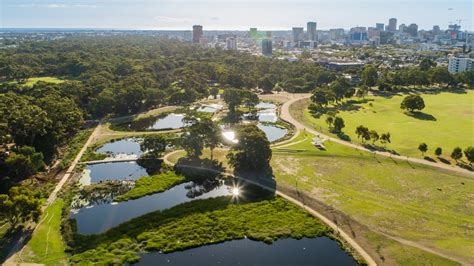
x,y
368,259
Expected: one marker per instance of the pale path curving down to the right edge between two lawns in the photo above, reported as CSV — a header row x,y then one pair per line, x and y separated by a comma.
x,y
286,115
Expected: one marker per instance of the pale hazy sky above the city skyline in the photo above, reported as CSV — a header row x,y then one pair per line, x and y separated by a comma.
x,y
231,14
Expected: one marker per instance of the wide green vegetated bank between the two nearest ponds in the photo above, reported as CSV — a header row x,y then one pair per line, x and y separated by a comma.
x,y
198,223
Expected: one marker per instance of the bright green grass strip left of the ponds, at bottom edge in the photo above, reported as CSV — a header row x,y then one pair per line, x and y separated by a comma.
x,y
46,245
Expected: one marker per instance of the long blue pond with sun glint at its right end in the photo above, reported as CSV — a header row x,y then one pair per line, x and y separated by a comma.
x,y
98,217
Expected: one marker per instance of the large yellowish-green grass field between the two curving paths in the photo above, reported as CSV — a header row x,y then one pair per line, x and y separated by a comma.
x,y
410,201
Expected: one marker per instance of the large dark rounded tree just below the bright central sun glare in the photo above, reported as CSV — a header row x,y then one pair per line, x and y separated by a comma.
x,y
252,152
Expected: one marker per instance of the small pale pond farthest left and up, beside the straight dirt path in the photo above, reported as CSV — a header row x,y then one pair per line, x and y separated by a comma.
x,y
118,148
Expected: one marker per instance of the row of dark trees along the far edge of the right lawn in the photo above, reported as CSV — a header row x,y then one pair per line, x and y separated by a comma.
x,y
427,73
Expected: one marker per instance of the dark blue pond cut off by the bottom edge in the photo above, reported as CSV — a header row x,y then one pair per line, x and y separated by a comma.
x,y
306,251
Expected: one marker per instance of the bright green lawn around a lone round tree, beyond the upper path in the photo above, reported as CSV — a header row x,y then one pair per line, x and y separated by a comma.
x,y
448,122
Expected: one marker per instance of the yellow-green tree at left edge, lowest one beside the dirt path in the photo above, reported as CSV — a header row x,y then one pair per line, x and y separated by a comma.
x,y
20,205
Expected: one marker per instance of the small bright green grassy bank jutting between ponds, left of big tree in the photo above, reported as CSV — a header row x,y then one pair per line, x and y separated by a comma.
x,y
148,185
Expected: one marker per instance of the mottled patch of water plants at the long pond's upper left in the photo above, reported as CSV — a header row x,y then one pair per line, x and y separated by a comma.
x,y
101,193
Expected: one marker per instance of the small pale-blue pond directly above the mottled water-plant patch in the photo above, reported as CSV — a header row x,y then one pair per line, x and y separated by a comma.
x,y
95,173
